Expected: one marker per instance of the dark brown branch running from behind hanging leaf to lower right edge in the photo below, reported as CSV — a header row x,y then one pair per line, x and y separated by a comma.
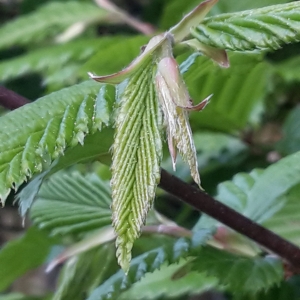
x,y
229,217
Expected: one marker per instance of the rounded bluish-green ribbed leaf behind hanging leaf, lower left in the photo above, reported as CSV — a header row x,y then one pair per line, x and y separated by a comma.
x,y
71,203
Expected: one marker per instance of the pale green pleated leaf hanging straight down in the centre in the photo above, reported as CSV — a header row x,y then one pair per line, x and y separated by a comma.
x,y
137,153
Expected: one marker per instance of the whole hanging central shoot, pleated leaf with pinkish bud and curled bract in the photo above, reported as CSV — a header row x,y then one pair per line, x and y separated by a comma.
x,y
137,148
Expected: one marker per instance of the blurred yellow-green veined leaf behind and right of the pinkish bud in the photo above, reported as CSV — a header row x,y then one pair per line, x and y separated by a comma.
x,y
234,103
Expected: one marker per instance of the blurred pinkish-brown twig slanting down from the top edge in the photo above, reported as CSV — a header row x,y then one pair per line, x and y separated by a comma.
x,y
142,27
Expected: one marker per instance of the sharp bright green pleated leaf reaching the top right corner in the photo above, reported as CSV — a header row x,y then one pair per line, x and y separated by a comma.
x,y
263,29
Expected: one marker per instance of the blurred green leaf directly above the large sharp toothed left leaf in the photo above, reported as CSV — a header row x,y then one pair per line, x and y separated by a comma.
x,y
51,59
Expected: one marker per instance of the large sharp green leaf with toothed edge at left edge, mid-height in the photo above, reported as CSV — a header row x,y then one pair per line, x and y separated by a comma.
x,y
36,134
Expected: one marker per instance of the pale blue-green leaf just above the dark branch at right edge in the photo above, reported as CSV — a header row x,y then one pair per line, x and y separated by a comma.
x,y
259,194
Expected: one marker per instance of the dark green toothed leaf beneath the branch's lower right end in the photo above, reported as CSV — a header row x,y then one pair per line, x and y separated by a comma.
x,y
240,275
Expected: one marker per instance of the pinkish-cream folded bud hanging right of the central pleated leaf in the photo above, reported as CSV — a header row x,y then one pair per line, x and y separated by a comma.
x,y
176,102
